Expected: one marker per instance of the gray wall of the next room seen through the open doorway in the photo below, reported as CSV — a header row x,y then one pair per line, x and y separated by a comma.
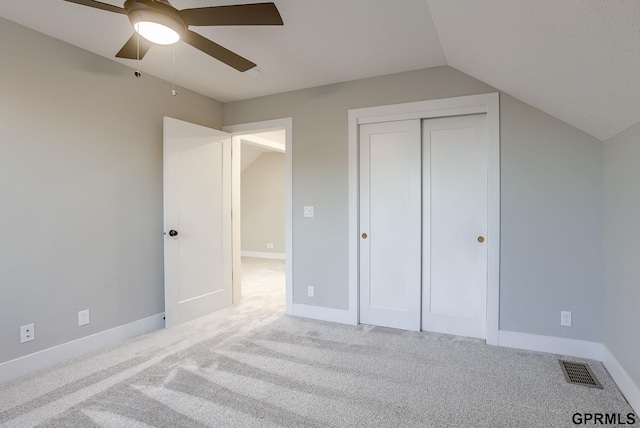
x,y
263,204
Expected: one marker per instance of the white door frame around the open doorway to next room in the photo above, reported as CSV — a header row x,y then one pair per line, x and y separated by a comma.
x,y
236,132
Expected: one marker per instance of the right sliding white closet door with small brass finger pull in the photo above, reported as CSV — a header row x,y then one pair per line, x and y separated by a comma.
x,y
455,225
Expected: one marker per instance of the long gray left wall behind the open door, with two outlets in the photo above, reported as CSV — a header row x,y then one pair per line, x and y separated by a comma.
x,y
81,189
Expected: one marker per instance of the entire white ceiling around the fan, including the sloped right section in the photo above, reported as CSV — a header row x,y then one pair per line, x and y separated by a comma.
x,y
578,60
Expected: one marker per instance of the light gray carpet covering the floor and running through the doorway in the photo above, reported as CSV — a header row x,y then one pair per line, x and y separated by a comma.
x,y
252,366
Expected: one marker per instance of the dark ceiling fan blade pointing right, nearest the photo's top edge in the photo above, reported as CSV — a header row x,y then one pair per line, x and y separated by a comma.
x,y
242,14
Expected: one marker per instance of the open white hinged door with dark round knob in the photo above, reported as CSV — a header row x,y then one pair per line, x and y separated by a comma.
x,y
197,206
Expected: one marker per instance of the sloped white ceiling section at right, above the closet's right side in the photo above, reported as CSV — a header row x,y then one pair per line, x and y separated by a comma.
x,y
578,60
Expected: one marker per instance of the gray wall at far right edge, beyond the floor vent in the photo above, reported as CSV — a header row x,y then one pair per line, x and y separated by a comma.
x,y
622,248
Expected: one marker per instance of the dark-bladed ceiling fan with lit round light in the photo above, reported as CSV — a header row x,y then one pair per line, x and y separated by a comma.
x,y
160,23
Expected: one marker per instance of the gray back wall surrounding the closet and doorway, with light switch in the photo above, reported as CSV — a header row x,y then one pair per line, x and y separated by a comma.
x,y
556,196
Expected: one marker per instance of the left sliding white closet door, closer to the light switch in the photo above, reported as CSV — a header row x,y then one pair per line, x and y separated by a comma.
x,y
390,216
